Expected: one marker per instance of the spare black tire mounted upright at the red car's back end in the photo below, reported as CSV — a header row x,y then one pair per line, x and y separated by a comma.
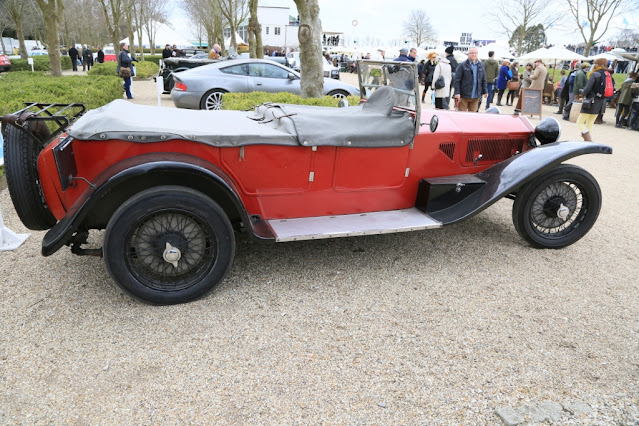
x,y
21,167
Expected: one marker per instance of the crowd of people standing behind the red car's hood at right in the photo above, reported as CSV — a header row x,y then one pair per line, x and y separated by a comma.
x,y
589,86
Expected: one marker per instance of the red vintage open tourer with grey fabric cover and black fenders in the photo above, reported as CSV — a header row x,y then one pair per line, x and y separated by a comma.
x,y
172,187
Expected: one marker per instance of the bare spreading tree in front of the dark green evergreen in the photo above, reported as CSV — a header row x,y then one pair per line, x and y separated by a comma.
x,y
518,16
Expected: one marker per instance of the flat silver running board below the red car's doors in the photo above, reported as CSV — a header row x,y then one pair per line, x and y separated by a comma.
x,y
350,225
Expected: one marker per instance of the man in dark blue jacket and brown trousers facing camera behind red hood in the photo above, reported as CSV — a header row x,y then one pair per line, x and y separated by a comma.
x,y
470,82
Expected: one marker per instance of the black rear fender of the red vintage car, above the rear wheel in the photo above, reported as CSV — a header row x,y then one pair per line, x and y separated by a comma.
x,y
95,206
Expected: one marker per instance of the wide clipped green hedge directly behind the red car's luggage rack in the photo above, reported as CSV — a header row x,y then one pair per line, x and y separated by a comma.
x,y
93,91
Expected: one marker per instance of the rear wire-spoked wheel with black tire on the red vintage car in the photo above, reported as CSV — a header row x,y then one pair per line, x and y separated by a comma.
x,y
199,236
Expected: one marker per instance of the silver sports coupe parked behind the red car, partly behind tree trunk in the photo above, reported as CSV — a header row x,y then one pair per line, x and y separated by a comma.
x,y
203,87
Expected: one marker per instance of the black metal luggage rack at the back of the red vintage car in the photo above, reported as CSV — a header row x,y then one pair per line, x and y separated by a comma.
x,y
34,111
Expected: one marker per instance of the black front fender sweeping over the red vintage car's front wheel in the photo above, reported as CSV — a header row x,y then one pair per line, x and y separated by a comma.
x,y
506,177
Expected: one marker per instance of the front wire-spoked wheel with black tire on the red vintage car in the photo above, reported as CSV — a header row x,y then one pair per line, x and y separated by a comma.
x,y
538,206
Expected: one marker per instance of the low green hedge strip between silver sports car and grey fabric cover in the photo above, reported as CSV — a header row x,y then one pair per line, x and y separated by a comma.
x,y
245,101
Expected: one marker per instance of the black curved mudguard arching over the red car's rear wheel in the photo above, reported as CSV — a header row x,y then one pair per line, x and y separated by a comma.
x,y
126,175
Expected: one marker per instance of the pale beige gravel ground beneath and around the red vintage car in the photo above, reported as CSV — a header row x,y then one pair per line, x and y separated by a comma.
x,y
438,327
